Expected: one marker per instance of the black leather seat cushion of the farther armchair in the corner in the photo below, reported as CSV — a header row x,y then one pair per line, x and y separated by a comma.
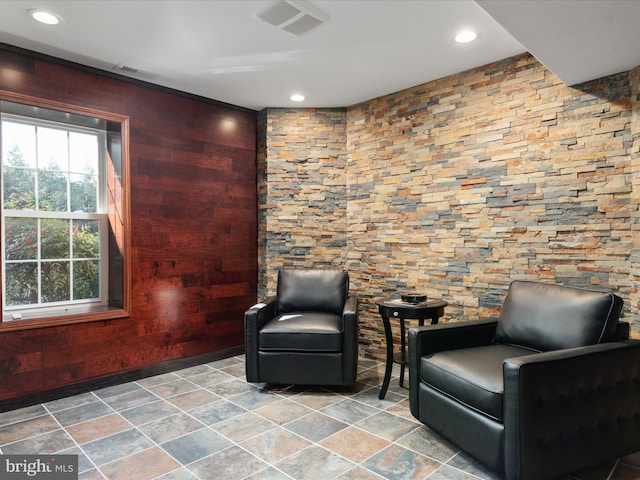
x,y
302,332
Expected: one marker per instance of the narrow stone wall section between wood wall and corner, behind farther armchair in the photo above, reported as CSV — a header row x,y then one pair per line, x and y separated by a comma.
x,y
301,190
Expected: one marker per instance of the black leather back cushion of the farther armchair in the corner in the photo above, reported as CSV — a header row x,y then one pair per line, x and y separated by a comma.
x,y
311,290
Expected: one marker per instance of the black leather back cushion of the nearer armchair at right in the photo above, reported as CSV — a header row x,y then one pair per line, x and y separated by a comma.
x,y
548,317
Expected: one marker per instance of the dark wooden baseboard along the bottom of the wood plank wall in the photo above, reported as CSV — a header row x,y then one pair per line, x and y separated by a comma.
x,y
115,379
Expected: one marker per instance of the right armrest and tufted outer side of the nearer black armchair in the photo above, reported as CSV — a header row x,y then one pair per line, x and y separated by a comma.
x,y
563,406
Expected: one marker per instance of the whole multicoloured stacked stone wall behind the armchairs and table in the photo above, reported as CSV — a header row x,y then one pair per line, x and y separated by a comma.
x,y
457,187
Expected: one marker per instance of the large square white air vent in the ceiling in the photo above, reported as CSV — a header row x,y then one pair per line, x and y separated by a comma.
x,y
293,16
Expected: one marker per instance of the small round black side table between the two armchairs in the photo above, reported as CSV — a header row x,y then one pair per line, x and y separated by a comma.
x,y
396,308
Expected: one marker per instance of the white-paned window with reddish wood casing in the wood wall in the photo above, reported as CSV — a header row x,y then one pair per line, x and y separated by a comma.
x,y
64,216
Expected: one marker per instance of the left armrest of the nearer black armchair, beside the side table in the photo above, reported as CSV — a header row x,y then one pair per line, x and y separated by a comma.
x,y
437,338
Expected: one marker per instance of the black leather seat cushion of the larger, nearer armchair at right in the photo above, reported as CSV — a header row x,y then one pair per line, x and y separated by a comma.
x,y
472,376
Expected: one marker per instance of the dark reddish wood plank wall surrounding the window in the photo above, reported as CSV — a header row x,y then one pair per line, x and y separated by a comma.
x,y
194,231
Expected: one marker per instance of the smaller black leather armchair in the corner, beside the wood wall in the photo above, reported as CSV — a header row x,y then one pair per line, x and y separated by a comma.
x,y
307,334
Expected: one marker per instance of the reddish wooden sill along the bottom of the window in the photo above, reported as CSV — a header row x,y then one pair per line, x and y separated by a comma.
x,y
79,315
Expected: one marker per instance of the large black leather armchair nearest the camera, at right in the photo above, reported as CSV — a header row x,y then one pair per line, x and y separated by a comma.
x,y
551,387
